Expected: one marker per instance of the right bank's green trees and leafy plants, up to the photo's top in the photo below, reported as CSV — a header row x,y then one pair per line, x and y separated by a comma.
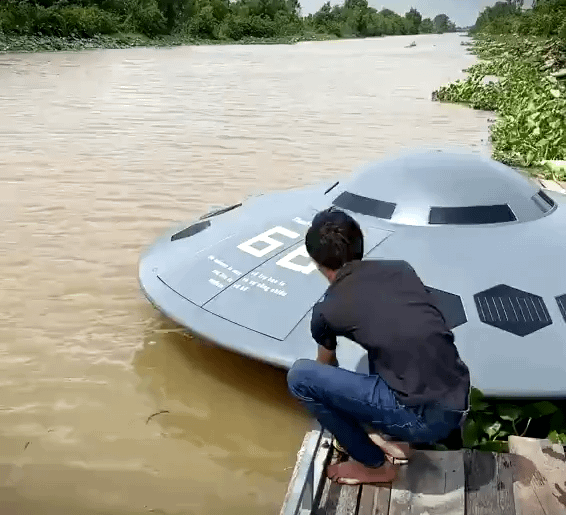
x,y
529,94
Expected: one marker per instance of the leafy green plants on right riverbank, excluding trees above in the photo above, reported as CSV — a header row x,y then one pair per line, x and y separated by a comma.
x,y
524,81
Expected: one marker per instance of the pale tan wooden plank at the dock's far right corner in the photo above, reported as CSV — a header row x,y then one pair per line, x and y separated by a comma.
x,y
539,473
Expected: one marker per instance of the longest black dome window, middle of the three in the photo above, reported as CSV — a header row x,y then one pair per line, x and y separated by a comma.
x,y
471,215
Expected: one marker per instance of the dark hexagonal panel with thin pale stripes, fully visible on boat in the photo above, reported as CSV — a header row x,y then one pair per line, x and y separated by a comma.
x,y
515,311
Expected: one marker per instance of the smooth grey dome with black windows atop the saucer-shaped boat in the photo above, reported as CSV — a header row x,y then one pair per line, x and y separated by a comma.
x,y
444,188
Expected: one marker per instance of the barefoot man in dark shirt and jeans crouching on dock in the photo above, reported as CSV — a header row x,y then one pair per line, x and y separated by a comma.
x,y
417,389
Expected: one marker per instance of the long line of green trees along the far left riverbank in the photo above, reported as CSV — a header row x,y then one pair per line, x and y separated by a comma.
x,y
208,19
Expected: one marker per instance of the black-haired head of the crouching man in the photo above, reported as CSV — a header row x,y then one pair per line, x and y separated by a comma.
x,y
333,239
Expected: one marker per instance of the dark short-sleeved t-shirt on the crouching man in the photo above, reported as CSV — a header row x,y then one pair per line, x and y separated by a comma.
x,y
383,306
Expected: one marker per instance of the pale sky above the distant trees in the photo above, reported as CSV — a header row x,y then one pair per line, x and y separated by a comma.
x,y
462,12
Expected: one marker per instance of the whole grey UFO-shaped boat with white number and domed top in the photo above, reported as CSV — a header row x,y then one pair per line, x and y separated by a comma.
x,y
487,242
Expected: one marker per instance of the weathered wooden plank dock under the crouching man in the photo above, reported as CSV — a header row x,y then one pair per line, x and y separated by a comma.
x,y
529,480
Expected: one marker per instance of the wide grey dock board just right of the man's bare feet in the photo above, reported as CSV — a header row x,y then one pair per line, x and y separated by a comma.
x,y
432,484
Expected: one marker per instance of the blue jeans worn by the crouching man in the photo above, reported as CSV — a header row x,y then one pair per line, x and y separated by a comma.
x,y
342,401
